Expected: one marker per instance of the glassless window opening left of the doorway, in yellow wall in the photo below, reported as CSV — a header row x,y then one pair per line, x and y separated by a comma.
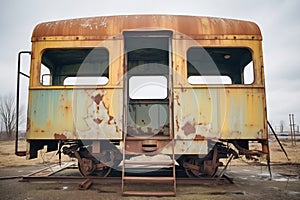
x,y
87,66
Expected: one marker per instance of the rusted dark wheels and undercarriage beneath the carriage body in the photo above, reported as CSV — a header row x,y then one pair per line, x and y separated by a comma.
x,y
195,166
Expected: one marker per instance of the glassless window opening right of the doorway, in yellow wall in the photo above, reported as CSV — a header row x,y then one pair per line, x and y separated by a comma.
x,y
219,66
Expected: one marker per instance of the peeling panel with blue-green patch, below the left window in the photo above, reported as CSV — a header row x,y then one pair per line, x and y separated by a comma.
x,y
75,114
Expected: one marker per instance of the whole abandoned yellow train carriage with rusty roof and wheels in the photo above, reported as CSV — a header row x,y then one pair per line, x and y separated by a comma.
x,y
171,51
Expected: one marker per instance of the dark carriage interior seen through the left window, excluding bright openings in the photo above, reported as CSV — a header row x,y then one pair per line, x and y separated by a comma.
x,y
64,63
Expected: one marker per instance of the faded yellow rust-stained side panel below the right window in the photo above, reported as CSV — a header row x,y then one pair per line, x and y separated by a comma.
x,y
219,113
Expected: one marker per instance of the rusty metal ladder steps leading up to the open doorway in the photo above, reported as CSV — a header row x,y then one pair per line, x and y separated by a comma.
x,y
148,179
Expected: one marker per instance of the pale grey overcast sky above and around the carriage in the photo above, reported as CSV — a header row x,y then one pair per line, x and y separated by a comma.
x,y
279,21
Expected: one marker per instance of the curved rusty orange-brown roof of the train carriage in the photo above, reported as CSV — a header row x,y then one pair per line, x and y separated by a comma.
x,y
107,26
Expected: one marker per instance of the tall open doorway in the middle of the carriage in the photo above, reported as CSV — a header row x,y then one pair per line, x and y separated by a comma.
x,y
148,70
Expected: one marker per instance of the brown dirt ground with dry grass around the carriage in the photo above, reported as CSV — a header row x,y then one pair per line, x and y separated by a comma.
x,y
251,179
